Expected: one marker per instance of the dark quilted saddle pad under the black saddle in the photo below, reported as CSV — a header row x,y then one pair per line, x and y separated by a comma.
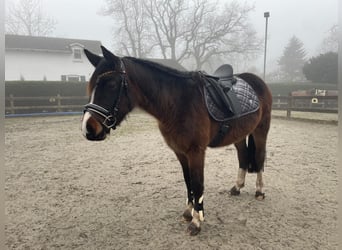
x,y
245,95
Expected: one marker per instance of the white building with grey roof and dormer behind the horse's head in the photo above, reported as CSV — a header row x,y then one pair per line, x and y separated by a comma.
x,y
48,58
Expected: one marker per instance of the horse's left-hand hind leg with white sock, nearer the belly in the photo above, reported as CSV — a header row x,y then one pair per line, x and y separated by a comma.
x,y
242,152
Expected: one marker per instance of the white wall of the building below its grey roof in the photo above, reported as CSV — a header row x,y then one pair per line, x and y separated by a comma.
x,y
33,65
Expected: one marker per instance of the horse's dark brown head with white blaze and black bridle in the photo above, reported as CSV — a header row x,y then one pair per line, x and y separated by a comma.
x,y
109,98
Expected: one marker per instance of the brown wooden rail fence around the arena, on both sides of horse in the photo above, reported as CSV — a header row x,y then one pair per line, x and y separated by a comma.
x,y
50,104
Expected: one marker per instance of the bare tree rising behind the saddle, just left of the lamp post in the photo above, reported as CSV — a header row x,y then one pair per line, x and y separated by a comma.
x,y
223,33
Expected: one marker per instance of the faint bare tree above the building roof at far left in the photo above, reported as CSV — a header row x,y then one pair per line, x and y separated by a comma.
x,y
27,18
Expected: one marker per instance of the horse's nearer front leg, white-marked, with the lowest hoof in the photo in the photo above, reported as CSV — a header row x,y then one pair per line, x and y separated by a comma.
x,y
196,171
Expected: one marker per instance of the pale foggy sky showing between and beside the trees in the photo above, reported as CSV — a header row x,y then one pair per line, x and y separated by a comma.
x,y
309,20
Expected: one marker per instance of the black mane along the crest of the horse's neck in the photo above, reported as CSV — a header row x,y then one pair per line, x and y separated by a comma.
x,y
162,68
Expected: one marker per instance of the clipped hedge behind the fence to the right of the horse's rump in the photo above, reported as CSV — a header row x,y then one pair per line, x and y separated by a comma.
x,y
286,88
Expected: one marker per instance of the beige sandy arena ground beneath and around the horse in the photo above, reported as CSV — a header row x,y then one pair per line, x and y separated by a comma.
x,y
63,192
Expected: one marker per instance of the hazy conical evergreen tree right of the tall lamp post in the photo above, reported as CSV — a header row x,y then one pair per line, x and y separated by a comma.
x,y
292,61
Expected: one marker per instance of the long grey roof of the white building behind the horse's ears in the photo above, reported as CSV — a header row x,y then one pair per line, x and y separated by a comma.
x,y
53,44
